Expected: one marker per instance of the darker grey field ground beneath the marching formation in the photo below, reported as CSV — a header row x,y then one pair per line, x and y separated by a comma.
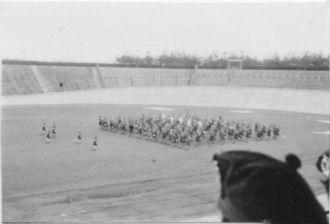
x,y
129,179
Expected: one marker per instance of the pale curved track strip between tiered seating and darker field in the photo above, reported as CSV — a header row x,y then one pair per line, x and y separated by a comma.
x,y
292,100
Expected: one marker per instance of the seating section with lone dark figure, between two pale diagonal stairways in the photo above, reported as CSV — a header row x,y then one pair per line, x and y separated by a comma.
x,y
72,78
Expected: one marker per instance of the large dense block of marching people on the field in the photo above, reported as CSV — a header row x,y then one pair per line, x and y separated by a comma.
x,y
188,130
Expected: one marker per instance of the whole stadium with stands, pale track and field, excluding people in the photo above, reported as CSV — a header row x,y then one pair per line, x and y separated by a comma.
x,y
133,179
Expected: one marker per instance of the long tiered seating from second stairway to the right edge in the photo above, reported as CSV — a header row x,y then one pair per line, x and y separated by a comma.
x,y
117,77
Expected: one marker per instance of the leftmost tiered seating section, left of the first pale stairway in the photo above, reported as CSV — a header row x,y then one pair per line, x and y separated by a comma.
x,y
19,79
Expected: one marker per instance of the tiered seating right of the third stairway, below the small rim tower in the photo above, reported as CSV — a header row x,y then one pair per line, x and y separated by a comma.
x,y
263,78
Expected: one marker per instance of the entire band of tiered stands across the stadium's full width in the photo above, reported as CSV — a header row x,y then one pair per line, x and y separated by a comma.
x,y
29,79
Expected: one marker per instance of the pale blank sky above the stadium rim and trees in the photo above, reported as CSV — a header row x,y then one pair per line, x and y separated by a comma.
x,y
102,31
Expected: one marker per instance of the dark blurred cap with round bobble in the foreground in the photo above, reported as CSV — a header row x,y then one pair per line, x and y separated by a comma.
x,y
258,188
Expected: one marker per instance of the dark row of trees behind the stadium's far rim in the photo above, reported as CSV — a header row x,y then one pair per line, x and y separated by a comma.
x,y
304,61
